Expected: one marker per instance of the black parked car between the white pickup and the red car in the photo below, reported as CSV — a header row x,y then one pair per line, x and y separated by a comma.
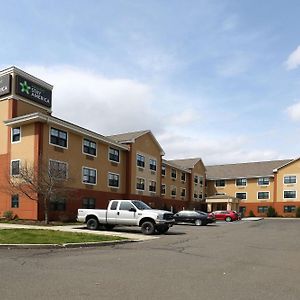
x,y
195,217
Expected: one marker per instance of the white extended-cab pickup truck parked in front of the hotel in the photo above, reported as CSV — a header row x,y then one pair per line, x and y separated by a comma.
x,y
127,213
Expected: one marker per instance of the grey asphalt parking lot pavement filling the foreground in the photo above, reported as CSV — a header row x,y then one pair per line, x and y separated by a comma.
x,y
238,260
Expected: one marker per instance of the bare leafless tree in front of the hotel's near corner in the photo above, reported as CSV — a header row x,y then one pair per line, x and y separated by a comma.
x,y
41,182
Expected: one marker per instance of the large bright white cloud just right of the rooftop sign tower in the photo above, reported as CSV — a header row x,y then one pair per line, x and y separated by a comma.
x,y
99,103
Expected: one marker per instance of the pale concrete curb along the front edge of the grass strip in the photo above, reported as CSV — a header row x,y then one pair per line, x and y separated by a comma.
x,y
64,246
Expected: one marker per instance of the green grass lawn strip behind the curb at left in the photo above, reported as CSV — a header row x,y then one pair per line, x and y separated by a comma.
x,y
42,236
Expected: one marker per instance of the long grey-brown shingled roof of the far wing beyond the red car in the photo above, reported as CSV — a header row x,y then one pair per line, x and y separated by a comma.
x,y
245,170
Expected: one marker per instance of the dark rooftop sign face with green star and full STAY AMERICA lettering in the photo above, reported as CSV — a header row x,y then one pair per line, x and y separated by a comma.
x,y
33,91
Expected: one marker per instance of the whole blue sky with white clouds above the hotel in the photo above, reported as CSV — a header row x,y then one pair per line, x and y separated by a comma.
x,y
216,79
